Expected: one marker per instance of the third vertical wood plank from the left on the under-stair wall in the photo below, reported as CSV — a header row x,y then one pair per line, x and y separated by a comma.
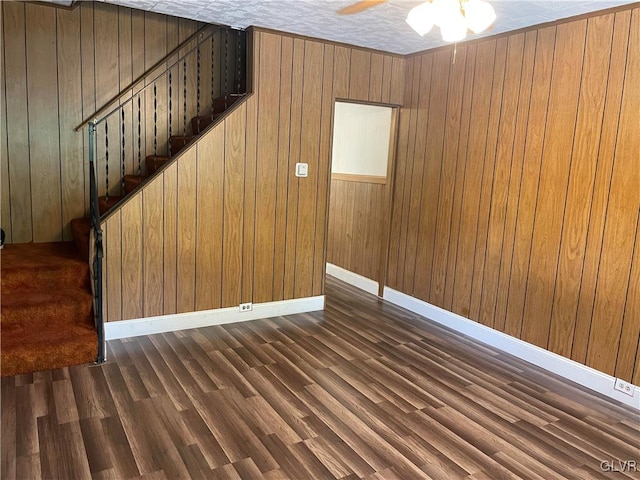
x,y
153,249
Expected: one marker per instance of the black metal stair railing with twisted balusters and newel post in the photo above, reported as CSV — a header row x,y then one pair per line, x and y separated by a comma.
x,y
144,124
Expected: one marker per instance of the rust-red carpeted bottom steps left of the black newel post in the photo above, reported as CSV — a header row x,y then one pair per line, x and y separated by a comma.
x,y
46,308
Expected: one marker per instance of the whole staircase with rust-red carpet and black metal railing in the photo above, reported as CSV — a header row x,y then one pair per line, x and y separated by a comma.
x,y
51,312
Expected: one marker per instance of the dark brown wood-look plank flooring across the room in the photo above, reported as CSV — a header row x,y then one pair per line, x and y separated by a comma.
x,y
362,390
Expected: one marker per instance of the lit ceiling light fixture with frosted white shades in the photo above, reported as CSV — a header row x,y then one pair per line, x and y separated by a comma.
x,y
454,17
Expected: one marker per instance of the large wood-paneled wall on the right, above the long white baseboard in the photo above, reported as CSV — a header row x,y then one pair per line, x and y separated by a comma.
x,y
517,195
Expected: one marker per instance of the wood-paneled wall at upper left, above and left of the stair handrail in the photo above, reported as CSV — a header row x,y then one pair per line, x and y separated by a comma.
x,y
60,66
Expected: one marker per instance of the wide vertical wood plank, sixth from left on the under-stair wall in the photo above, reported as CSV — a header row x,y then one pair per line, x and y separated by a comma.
x,y
209,222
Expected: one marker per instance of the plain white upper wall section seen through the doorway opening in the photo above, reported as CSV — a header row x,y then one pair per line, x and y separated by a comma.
x,y
361,139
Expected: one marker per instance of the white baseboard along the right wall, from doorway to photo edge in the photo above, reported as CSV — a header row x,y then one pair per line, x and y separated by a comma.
x,y
554,363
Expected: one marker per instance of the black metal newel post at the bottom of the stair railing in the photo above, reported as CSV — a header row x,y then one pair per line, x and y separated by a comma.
x,y
94,215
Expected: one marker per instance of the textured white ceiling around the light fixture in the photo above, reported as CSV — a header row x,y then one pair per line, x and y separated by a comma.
x,y
382,27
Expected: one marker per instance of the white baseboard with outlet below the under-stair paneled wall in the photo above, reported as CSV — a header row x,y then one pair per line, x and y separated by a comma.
x,y
221,316
